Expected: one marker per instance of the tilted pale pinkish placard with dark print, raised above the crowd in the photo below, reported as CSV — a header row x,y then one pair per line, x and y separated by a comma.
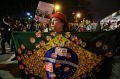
x,y
43,11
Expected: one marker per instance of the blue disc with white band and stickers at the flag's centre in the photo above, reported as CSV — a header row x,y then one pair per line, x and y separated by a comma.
x,y
60,63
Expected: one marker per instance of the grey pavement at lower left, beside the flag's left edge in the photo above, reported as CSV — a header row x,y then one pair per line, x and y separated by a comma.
x,y
8,69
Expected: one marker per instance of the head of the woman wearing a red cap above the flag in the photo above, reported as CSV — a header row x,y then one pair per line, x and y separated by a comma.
x,y
59,22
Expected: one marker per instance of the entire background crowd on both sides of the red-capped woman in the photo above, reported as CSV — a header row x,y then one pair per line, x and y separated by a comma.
x,y
8,25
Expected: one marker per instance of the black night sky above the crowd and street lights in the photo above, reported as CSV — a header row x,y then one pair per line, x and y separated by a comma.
x,y
97,9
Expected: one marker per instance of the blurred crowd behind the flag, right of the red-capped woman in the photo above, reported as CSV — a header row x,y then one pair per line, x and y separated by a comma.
x,y
91,26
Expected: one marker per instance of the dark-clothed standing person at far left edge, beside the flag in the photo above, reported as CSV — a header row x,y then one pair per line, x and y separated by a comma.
x,y
6,31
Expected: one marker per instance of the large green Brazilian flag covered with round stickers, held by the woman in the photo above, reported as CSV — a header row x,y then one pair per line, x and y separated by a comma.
x,y
86,55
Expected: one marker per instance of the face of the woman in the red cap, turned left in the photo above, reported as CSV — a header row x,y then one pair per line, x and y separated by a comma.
x,y
57,25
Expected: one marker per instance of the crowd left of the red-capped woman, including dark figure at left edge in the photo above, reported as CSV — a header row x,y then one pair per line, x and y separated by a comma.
x,y
8,25
